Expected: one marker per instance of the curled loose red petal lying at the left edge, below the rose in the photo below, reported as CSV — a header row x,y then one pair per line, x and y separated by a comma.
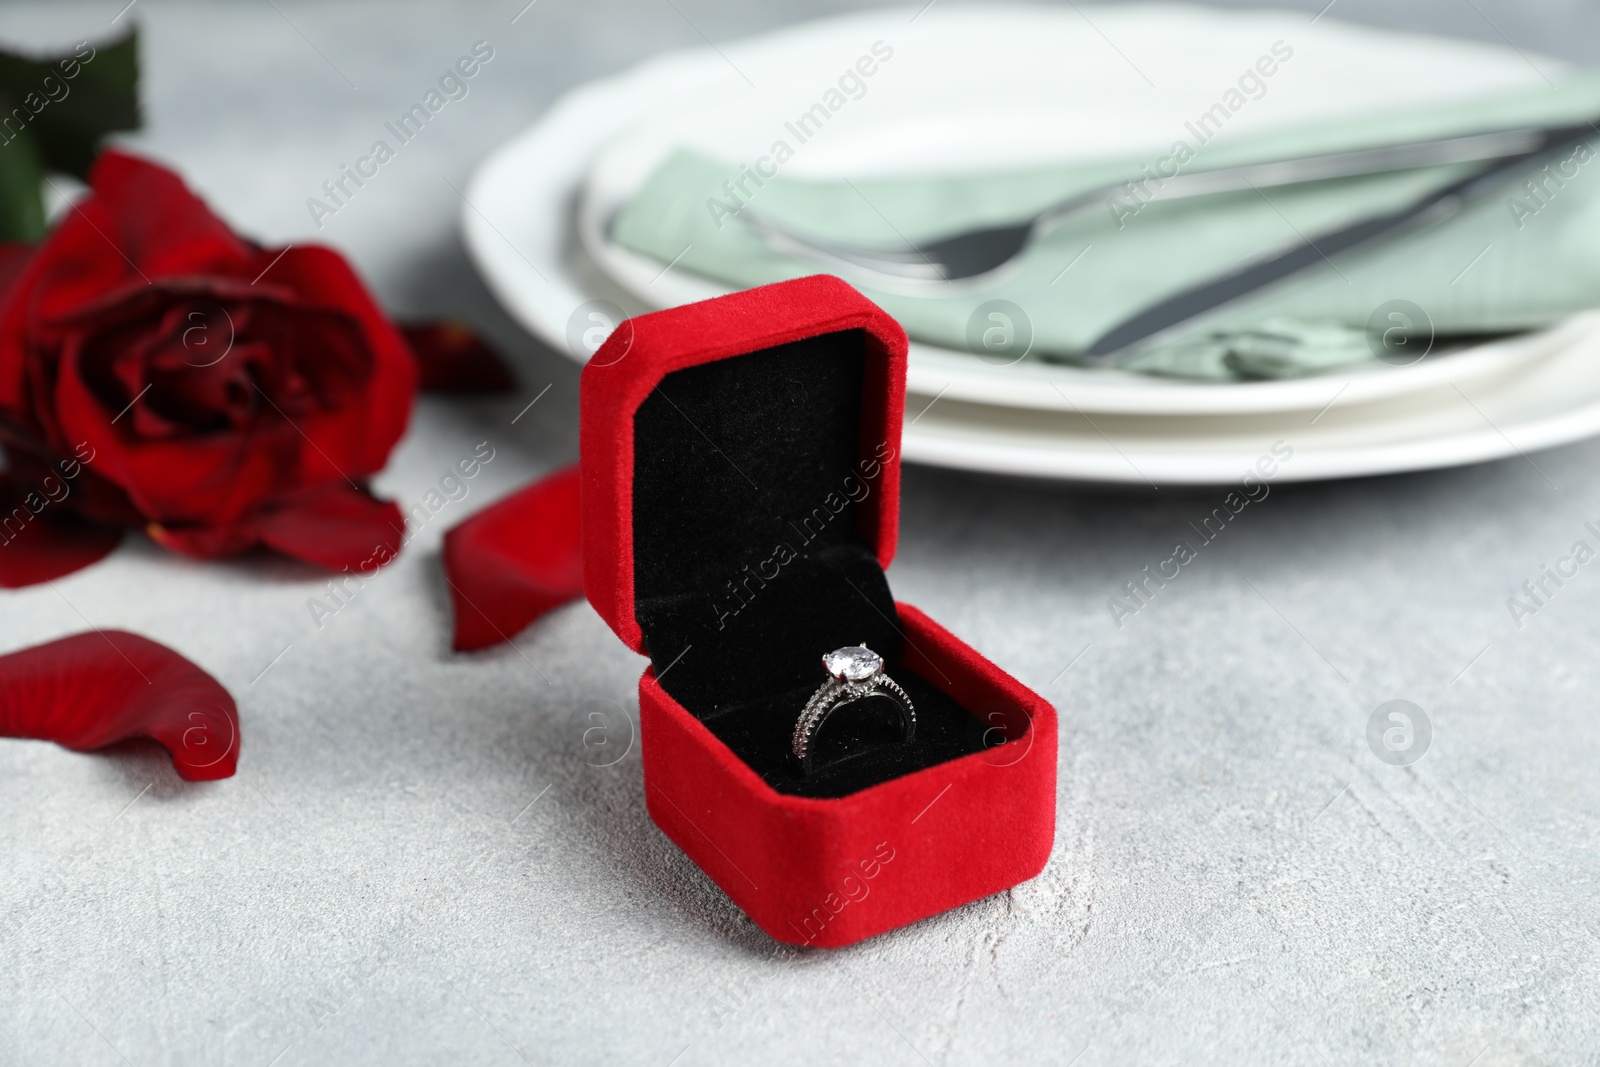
x,y
94,690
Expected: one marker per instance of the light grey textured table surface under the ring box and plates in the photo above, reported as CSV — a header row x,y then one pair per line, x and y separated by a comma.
x,y
417,865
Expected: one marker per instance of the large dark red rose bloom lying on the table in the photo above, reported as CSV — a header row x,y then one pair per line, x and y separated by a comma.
x,y
164,374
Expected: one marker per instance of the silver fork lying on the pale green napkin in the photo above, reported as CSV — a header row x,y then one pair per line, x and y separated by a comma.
x,y
975,254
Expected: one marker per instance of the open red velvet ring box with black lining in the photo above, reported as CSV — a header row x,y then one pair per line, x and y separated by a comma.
x,y
740,503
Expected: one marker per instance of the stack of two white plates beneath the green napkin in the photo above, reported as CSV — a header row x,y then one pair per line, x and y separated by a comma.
x,y
1026,87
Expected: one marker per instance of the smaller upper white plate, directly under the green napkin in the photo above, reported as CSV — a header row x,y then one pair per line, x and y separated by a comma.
x,y
1025,106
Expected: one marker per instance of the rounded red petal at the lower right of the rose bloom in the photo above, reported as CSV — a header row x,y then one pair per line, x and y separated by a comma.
x,y
340,529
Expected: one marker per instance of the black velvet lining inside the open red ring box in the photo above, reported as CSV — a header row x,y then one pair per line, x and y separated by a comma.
x,y
750,564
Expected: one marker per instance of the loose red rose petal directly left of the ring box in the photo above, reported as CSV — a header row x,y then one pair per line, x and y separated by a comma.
x,y
514,561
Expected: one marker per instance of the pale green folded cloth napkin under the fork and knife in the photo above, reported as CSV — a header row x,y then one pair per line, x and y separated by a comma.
x,y
1522,258
